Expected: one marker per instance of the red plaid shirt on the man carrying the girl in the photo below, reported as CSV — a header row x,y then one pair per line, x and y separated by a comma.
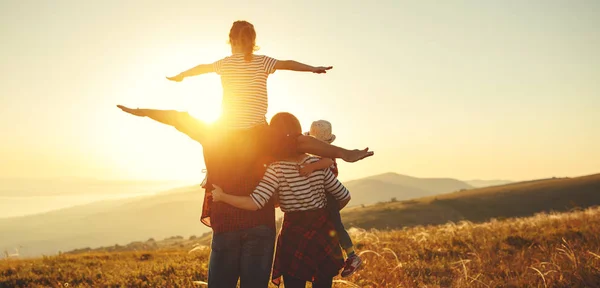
x,y
236,162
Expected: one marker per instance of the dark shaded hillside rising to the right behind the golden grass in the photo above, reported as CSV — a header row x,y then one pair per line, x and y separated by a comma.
x,y
477,205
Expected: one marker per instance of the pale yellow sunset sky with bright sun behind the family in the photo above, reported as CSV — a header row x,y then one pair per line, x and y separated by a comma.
x,y
462,89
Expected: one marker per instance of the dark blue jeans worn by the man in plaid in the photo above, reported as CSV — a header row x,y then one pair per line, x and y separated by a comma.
x,y
245,254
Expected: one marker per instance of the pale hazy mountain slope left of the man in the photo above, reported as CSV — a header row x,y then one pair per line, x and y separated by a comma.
x,y
106,223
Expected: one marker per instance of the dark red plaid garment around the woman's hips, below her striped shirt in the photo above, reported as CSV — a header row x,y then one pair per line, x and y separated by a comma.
x,y
307,248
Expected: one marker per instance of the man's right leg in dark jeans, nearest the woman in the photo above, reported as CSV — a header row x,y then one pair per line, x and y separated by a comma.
x,y
258,246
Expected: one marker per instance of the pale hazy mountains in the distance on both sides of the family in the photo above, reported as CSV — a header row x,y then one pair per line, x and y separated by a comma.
x,y
172,213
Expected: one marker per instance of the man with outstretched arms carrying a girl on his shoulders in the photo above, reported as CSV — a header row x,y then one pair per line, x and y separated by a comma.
x,y
243,241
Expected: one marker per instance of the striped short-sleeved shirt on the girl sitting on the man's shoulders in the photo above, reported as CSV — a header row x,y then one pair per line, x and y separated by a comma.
x,y
244,89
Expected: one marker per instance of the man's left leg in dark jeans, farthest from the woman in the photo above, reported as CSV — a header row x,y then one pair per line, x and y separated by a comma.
x,y
224,263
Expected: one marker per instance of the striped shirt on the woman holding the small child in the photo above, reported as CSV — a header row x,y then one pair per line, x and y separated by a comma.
x,y
298,193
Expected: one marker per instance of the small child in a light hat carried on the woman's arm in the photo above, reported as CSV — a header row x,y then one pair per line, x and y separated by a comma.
x,y
322,130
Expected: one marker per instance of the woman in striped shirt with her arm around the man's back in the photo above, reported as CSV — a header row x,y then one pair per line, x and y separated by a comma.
x,y
307,250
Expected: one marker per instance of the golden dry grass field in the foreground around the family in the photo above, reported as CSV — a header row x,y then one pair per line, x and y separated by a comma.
x,y
546,250
